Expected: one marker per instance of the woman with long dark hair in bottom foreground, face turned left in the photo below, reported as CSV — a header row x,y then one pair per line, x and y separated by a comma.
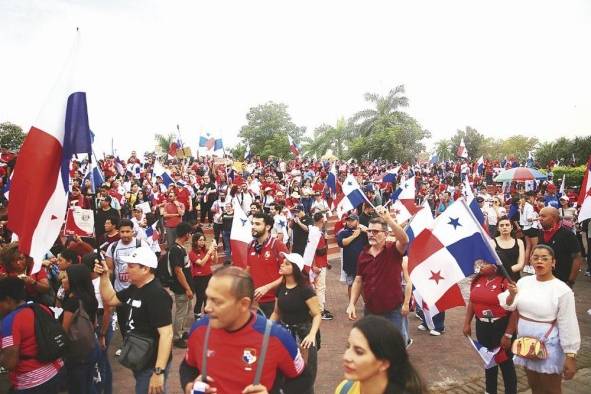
x,y
376,360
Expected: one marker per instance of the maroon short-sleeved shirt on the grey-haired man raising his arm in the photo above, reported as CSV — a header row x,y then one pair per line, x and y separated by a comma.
x,y
381,278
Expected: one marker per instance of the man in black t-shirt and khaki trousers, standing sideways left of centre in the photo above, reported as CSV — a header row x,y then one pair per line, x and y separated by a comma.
x,y
180,286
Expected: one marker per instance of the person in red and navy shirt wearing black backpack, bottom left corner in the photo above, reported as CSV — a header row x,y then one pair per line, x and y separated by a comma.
x,y
19,344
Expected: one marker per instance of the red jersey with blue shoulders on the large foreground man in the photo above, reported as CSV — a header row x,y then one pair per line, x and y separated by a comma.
x,y
233,356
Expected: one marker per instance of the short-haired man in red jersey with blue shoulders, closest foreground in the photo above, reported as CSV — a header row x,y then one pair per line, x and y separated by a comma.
x,y
234,341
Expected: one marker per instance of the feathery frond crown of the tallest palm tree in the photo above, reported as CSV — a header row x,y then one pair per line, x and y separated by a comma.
x,y
386,110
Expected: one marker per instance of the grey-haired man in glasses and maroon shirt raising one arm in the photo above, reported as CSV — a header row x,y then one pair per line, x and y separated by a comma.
x,y
379,271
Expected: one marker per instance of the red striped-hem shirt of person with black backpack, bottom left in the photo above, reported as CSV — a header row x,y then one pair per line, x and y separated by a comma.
x,y
18,329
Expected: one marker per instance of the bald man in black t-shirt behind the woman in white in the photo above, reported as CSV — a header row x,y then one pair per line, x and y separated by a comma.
x,y
565,244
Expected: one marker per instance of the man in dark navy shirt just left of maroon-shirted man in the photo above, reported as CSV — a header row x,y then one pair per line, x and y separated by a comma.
x,y
352,238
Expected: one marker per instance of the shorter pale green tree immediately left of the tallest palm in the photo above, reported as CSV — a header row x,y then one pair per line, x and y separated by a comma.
x,y
329,137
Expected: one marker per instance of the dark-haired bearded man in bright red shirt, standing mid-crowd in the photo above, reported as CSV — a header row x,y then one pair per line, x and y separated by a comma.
x,y
263,261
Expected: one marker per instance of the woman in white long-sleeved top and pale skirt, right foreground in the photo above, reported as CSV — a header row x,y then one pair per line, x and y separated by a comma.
x,y
543,301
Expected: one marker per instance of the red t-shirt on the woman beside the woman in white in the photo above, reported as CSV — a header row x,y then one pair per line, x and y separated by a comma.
x,y
484,295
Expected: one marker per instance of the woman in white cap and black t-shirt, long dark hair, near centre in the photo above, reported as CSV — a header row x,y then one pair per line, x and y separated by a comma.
x,y
298,310
